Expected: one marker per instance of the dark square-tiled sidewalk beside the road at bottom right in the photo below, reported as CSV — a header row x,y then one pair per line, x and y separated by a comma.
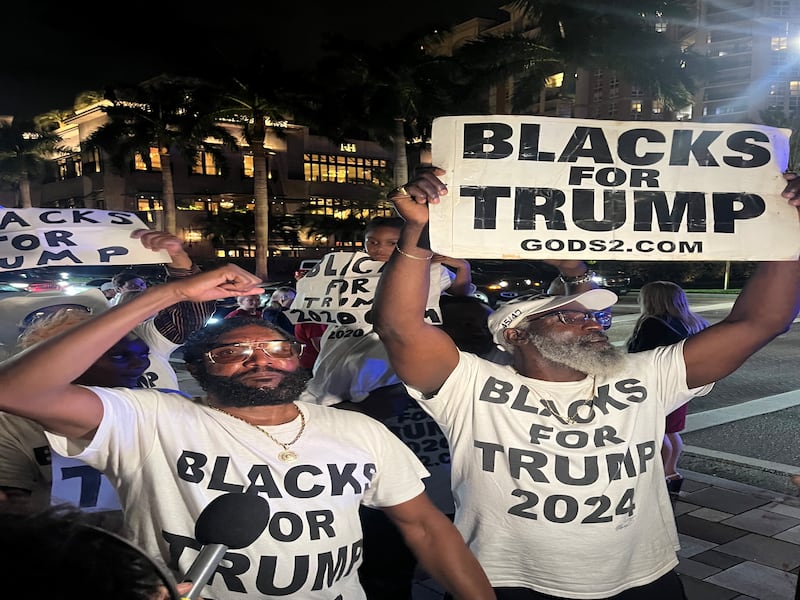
x,y
737,542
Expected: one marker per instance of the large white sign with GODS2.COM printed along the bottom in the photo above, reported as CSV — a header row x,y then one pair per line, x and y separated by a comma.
x,y
541,187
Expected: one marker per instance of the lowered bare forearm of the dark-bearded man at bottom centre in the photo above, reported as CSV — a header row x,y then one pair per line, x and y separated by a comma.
x,y
441,551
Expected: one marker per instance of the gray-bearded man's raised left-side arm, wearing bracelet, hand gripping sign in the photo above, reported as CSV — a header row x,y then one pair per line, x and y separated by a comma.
x,y
421,354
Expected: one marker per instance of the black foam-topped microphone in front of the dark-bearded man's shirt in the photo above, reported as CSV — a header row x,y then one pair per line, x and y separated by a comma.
x,y
229,521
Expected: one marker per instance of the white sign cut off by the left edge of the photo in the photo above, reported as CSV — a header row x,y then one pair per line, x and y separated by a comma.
x,y
40,237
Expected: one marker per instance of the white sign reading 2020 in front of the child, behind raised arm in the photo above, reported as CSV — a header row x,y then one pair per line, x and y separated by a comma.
x,y
340,289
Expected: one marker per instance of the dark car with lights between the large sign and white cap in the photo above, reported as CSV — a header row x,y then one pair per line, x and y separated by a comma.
x,y
499,281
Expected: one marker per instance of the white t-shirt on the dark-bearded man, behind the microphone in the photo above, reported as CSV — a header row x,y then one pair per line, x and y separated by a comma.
x,y
168,458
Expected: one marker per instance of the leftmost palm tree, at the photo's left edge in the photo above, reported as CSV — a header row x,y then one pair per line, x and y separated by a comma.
x,y
24,153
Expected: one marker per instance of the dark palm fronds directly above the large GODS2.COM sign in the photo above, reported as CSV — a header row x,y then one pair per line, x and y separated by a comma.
x,y
623,35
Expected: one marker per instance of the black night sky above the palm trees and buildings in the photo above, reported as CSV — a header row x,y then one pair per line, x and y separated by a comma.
x,y
54,51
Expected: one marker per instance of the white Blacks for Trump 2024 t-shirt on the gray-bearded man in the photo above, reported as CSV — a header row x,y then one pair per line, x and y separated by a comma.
x,y
577,511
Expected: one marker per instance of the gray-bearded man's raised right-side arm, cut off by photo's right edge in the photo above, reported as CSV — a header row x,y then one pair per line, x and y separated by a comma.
x,y
765,308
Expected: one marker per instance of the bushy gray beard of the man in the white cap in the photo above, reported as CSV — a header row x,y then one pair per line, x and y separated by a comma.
x,y
581,355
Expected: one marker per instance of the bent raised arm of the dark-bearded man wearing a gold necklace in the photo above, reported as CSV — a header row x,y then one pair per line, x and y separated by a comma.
x,y
36,382
